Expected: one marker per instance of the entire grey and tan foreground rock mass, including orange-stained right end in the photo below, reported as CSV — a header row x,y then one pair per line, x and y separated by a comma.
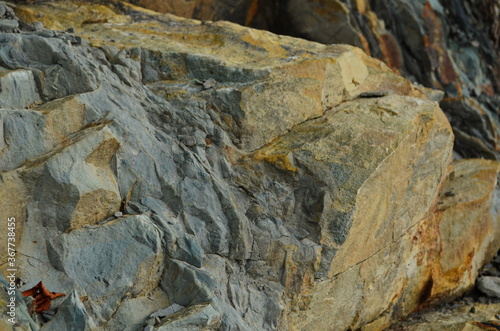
x,y
250,180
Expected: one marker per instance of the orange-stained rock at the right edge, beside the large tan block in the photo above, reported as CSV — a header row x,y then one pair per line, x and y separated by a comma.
x,y
468,233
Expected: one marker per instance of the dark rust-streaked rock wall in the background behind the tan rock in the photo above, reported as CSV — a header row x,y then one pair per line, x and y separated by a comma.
x,y
449,45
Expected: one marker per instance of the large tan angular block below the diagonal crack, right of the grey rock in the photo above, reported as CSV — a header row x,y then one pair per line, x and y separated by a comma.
x,y
336,194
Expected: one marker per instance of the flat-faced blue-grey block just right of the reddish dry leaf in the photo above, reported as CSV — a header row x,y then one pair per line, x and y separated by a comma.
x,y
104,260
